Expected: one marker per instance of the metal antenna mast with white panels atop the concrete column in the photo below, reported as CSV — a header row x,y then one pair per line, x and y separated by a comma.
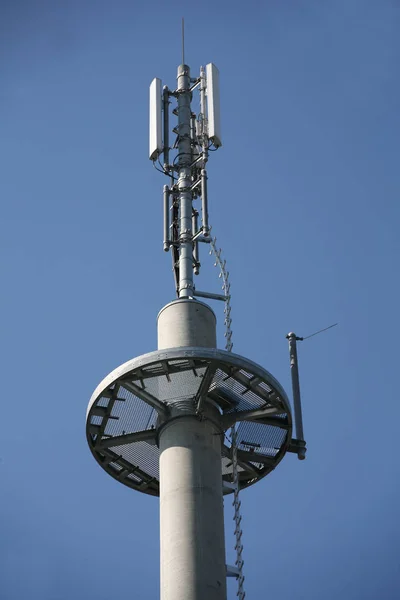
x,y
188,181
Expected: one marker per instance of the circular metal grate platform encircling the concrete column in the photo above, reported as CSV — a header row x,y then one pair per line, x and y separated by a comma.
x,y
130,403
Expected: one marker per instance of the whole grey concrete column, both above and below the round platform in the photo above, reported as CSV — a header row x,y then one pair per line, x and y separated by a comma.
x,y
191,503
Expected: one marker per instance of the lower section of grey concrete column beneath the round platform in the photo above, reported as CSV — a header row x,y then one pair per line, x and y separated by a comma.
x,y
191,511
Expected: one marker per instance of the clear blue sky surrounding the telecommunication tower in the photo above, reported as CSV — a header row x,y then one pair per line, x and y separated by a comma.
x,y
304,202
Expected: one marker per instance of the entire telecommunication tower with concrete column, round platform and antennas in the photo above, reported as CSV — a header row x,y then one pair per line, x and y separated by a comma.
x,y
189,422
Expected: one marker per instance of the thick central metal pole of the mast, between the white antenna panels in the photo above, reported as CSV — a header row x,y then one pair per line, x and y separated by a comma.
x,y
184,183
